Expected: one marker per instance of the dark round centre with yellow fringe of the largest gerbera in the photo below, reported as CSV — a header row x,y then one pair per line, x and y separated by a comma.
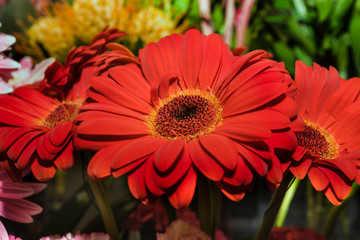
x,y
187,115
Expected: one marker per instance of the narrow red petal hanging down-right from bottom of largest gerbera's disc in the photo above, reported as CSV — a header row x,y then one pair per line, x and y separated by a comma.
x,y
204,162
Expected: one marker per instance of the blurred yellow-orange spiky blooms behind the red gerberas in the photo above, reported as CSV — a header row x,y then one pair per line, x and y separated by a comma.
x,y
56,33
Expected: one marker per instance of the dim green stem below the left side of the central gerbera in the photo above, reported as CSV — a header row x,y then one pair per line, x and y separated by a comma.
x,y
102,198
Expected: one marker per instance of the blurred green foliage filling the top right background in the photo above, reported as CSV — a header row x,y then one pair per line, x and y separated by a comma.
x,y
323,31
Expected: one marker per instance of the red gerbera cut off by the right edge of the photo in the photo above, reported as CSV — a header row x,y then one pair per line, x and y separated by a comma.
x,y
329,146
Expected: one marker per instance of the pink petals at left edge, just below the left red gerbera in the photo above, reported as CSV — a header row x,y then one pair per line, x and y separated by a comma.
x,y
12,204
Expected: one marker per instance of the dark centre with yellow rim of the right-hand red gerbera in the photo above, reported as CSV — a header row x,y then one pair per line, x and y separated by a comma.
x,y
318,142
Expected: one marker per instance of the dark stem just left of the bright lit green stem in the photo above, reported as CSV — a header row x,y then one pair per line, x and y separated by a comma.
x,y
273,208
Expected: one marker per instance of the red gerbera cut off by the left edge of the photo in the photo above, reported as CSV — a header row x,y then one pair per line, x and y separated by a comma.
x,y
35,131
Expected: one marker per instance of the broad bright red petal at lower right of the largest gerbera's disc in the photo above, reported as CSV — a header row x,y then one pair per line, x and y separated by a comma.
x,y
221,148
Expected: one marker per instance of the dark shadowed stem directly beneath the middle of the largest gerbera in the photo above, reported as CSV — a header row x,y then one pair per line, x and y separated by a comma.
x,y
208,206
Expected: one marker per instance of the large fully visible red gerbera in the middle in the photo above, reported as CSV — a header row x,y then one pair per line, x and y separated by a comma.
x,y
189,105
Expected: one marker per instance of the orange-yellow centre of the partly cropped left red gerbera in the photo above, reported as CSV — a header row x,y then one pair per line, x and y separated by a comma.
x,y
63,113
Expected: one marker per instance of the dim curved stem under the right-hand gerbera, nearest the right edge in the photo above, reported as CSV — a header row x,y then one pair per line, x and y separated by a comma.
x,y
334,213
